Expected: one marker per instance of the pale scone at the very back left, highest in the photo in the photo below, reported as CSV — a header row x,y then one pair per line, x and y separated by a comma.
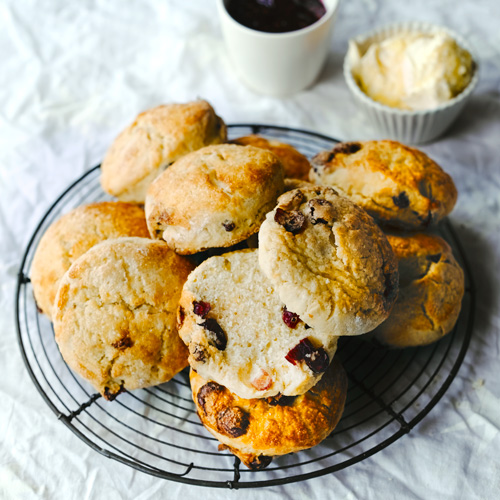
x,y
158,137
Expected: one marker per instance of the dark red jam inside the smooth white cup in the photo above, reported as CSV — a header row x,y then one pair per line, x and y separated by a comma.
x,y
276,16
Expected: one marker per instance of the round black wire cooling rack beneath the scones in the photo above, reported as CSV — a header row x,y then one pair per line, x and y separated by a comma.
x,y
157,431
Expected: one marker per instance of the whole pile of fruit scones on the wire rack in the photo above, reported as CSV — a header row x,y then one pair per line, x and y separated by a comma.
x,y
136,295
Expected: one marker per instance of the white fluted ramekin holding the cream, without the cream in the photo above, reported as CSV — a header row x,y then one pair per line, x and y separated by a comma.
x,y
411,127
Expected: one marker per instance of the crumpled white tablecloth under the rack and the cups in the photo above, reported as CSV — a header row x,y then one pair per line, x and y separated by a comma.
x,y
73,74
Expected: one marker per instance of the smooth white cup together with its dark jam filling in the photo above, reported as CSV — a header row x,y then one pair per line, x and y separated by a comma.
x,y
277,47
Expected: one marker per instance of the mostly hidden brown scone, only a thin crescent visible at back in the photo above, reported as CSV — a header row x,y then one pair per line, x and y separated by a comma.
x,y
296,165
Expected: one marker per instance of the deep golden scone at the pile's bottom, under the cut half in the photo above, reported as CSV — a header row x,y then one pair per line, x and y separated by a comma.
x,y
256,430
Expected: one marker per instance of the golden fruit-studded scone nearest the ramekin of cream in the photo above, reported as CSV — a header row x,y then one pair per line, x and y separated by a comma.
x,y
397,185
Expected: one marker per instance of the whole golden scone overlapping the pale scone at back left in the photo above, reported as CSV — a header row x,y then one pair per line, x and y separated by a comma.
x,y
214,197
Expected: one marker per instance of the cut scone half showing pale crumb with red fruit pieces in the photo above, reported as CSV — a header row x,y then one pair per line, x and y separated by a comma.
x,y
240,335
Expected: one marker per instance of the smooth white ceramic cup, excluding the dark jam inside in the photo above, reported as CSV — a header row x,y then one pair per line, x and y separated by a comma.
x,y
278,64
